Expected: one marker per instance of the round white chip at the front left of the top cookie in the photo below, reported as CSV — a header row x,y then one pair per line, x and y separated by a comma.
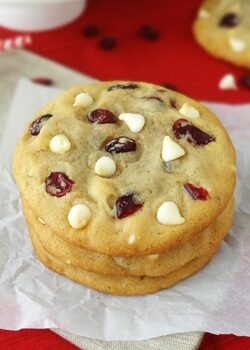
x,y
79,216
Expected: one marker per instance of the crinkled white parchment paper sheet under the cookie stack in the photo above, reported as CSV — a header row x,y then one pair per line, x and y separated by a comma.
x,y
216,299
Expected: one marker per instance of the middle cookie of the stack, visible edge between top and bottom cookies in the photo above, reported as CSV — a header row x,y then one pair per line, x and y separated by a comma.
x,y
152,265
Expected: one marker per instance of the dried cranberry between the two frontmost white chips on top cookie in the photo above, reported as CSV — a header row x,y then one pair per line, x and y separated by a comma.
x,y
127,205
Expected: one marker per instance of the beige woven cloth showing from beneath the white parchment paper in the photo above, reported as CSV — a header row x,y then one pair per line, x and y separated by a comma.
x,y
13,65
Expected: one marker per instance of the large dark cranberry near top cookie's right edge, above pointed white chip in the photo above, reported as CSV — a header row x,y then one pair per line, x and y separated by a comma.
x,y
183,128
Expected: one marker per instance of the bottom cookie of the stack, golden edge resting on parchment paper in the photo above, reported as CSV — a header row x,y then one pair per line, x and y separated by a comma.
x,y
121,285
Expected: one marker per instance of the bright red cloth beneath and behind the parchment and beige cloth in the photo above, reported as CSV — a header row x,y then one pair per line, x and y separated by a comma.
x,y
174,58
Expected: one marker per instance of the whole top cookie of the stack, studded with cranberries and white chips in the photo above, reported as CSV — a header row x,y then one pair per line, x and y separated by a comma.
x,y
125,168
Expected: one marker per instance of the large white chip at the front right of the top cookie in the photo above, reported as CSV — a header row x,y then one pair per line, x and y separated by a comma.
x,y
169,214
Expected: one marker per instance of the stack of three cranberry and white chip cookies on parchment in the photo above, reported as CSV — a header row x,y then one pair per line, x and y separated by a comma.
x,y
126,187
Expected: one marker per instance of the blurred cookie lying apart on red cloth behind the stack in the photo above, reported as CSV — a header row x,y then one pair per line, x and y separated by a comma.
x,y
222,28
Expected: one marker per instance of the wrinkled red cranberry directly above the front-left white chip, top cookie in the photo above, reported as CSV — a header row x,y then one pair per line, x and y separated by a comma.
x,y
58,184
